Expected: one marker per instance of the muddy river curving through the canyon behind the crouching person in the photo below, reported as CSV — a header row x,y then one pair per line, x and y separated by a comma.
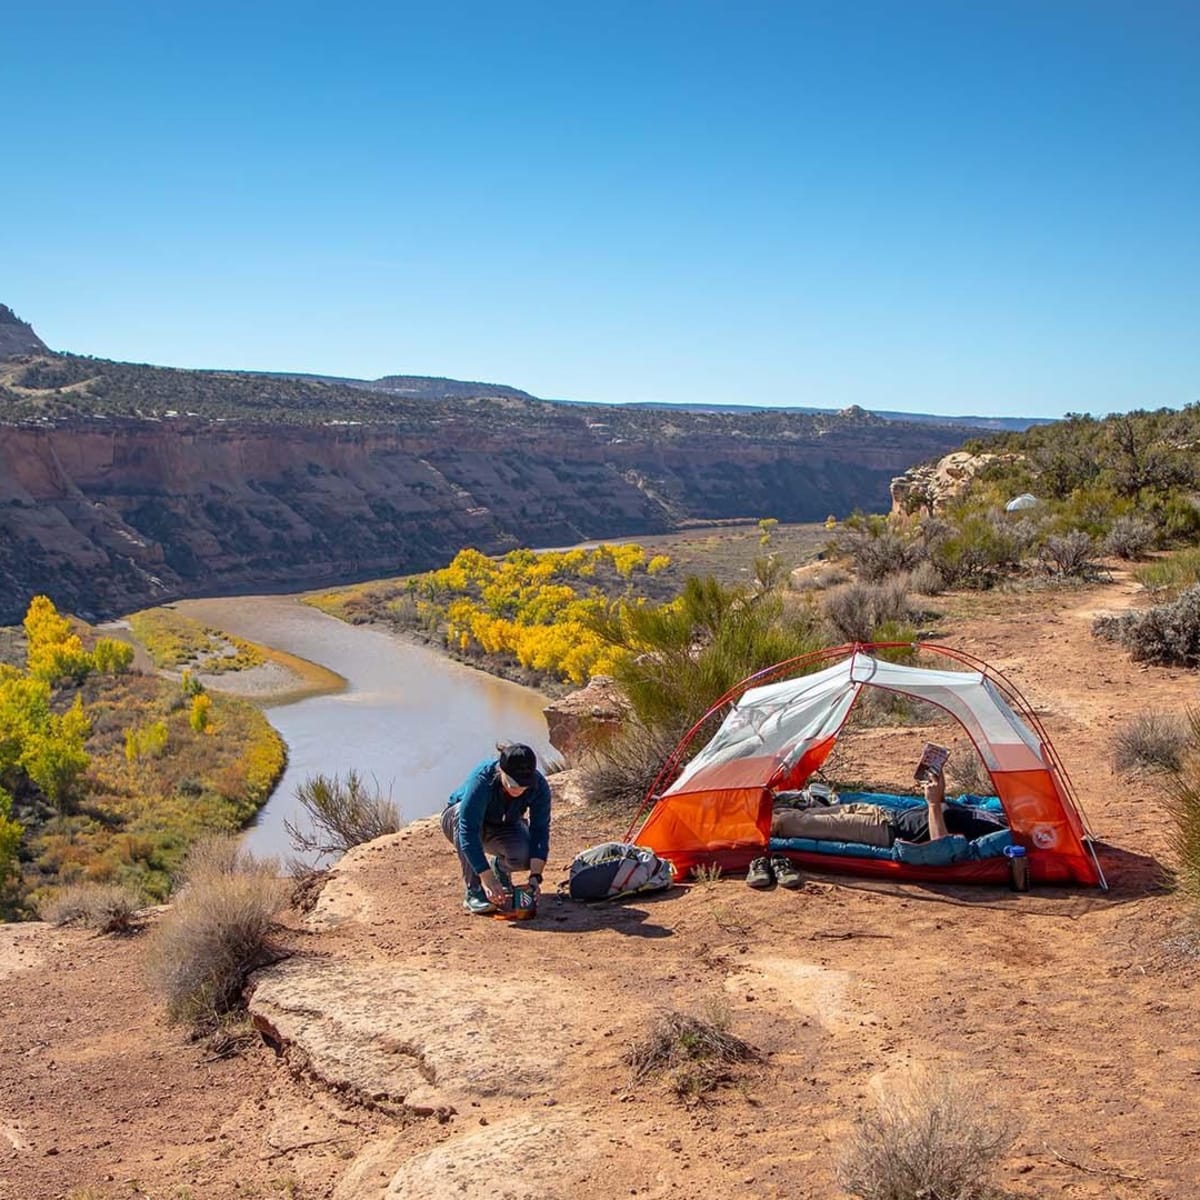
x,y
410,718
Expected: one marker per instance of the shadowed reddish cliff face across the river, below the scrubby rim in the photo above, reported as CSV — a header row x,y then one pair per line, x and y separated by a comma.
x,y
111,515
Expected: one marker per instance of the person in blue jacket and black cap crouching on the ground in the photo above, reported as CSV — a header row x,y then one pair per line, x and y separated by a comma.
x,y
502,809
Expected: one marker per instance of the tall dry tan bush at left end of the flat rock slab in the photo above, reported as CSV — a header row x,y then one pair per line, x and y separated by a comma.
x,y
220,929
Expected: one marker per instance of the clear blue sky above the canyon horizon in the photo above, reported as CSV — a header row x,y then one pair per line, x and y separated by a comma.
x,y
934,207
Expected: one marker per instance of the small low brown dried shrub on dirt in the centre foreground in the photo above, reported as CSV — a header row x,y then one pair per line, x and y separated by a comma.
x,y
693,1054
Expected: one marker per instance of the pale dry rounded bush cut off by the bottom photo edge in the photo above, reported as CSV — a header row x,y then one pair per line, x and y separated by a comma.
x,y
934,1137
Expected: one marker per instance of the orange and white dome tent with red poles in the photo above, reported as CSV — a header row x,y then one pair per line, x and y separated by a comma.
x,y
713,806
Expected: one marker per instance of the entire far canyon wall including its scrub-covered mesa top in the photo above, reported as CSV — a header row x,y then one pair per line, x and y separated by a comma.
x,y
125,485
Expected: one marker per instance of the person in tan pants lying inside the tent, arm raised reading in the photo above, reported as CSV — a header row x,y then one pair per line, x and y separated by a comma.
x,y
875,825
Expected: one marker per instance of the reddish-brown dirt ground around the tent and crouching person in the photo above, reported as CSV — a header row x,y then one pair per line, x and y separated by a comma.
x,y
1073,1010
